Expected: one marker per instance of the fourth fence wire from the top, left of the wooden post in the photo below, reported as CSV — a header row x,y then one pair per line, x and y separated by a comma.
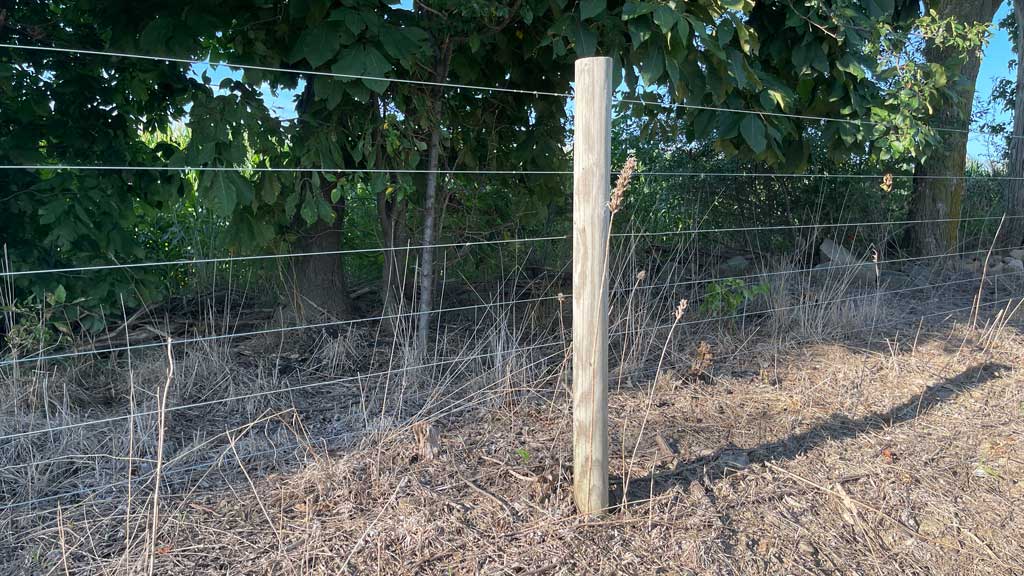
x,y
284,330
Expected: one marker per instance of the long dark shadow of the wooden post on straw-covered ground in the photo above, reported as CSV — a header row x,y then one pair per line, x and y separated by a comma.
x,y
731,460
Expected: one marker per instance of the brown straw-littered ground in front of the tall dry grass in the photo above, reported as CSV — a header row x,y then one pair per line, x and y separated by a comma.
x,y
793,447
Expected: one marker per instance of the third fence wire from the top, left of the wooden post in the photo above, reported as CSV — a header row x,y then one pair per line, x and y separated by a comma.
x,y
348,252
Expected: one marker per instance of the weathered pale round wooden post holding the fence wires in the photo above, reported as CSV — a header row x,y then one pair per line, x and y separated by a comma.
x,y
592,174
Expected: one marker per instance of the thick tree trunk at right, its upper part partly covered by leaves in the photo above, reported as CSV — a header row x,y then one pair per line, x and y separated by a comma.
x,y
941,198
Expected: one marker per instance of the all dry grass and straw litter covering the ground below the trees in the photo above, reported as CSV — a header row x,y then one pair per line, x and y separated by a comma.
x,y
844,433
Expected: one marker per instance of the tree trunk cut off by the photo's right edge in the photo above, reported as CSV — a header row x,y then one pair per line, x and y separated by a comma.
x,y
1013,228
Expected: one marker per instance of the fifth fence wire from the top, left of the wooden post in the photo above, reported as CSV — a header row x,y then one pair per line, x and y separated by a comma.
x,y
265,393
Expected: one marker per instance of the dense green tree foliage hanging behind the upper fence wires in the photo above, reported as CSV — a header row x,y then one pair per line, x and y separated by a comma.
x,y
854,60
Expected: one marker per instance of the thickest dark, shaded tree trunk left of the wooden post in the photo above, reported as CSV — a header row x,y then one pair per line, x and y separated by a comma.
x,y
319,282
